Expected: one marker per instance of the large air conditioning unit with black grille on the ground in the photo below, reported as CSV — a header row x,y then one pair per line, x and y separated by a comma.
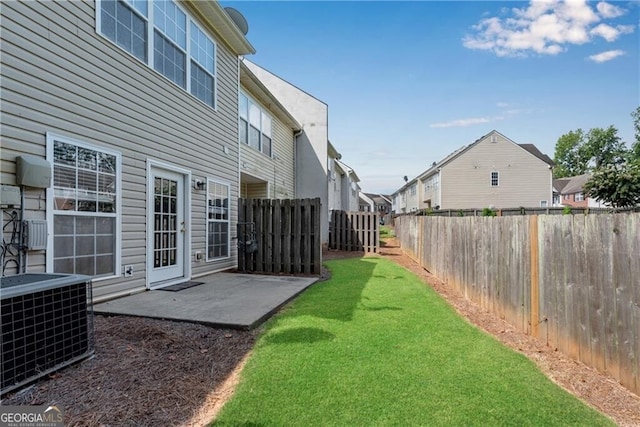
x,y
46,324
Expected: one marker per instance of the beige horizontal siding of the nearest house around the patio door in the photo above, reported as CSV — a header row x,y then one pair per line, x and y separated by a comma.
x,y
60,76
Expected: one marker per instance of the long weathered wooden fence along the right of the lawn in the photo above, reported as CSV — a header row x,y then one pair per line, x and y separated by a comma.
x,y
572,281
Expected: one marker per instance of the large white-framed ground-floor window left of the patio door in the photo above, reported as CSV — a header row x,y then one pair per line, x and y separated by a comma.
x,y
85,207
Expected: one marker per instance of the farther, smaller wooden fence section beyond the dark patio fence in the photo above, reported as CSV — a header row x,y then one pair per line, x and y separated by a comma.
x,y
354,231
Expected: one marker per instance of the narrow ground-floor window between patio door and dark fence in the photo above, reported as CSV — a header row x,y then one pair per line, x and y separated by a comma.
x,y
218,220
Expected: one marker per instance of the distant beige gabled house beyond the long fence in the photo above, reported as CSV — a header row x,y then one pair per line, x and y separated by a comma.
x,y
494,171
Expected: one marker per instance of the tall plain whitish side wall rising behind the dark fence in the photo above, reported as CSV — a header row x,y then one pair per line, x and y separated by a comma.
x,y
311,145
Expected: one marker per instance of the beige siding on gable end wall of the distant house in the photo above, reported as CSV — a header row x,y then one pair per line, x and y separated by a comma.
x,y
524,180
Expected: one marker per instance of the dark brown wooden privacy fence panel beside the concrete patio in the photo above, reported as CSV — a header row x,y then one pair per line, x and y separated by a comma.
x,y
279,236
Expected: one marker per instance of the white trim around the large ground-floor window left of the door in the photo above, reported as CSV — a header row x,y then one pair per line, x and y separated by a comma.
x,y
50,138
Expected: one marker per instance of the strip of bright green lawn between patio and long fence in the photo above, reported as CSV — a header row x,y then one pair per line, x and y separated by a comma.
x,y
374,346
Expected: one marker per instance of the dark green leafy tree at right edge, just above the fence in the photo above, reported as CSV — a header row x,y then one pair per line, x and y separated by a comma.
x,y
617,185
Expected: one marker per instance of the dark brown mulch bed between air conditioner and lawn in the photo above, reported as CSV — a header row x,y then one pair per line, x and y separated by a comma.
x,y
145,372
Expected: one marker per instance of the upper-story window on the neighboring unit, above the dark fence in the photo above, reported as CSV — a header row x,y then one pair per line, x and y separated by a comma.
x,y
254,125
